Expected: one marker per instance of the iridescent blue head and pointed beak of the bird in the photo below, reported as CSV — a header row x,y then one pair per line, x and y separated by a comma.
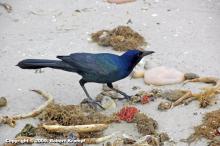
x,y
133,57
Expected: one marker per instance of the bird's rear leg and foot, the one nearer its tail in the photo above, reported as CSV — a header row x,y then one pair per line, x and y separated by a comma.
x,y
89,100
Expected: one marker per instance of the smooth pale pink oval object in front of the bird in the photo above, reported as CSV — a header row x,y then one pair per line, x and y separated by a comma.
x,y
163,76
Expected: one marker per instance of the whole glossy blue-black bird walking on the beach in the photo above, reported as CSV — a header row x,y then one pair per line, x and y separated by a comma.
x,y
99,68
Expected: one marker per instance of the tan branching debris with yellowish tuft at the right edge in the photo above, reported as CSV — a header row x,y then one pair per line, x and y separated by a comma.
x,y
178,97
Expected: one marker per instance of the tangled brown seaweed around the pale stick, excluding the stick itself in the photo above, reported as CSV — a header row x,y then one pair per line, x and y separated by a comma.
x,y
67,115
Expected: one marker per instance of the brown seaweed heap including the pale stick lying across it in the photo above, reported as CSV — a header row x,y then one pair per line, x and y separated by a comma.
x,y
61,119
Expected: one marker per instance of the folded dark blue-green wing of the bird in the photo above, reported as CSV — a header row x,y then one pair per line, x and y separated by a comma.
x,y
100,64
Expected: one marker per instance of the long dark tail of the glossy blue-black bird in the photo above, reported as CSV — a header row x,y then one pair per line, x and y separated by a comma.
x,y
42,63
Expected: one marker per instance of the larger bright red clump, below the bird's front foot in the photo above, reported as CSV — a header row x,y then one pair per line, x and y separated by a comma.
x,y
127,113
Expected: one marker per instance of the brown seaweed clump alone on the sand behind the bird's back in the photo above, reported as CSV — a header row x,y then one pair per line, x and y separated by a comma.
x,y
121,38
